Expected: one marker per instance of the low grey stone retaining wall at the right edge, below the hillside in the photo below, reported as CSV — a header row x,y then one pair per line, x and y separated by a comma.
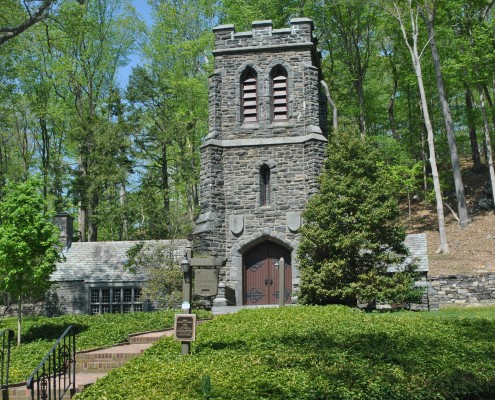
x,y
469,290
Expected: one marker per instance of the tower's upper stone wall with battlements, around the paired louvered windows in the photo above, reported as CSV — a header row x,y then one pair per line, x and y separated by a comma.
x,y
262,49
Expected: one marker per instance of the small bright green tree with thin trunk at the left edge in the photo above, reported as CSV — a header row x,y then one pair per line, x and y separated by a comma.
x,y
28,243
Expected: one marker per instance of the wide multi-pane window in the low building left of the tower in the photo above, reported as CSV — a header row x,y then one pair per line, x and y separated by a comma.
x,y
123,300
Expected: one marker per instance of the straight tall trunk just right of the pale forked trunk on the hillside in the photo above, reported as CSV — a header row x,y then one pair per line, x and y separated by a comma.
x,y
462,210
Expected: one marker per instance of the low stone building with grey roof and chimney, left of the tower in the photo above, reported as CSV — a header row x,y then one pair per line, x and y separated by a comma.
x,y
92,277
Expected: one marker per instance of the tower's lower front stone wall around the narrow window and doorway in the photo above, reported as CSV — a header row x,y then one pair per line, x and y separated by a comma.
x,y
294,168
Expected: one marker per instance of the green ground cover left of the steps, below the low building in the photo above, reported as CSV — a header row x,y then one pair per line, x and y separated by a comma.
x,y
40,333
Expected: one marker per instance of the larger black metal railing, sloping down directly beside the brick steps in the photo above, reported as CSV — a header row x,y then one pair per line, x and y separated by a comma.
x,y
56,373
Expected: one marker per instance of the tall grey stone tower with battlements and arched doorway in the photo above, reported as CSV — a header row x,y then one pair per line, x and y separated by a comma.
x,y
261,158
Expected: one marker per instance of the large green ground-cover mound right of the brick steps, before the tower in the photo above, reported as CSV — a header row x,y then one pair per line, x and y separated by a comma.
x,y
318,353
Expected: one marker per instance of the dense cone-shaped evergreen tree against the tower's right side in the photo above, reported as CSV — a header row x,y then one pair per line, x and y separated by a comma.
x,y
352,232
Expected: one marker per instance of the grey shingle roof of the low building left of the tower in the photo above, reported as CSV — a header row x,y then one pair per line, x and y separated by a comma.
x,y
103,261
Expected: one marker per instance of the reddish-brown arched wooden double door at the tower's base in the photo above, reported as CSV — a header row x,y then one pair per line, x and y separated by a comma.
x,y
261,277
